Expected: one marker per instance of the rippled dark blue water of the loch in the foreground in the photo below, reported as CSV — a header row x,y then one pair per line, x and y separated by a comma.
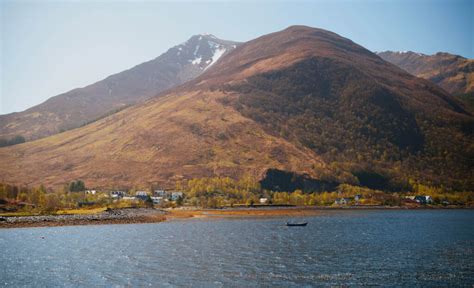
x,y
349,248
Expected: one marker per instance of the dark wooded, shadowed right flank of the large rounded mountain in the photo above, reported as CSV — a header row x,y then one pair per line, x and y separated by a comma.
x,y
360,126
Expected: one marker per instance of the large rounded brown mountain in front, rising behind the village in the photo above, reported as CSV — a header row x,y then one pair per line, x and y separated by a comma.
x,y
303,101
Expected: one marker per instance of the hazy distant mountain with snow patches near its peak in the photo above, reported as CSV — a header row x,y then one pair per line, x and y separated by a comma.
x,y
80,106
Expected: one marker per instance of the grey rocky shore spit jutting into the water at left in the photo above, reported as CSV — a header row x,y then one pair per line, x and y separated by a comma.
x,y
110,216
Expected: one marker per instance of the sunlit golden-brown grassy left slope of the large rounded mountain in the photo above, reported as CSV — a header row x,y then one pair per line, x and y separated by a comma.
x,y
181,135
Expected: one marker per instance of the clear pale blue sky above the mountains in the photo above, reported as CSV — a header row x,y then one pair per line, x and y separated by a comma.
x,y
50,47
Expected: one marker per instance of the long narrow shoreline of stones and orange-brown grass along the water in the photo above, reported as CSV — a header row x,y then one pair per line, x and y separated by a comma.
x,y
152,215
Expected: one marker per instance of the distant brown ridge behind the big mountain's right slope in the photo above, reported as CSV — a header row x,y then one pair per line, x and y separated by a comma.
x,y
453,73
